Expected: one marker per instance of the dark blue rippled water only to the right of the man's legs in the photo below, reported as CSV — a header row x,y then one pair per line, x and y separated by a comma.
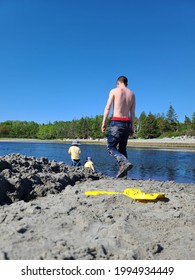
x,y
164,165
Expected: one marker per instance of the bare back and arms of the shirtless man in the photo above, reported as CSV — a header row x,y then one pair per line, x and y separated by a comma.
x,y
123,101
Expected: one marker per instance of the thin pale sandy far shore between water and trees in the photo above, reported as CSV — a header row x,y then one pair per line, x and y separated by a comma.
x,y
176,142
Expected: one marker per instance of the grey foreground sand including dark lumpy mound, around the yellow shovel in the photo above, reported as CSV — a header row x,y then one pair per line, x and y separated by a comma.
x,y
45,214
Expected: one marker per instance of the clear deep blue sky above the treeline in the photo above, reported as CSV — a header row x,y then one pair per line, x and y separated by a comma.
x,y
60,58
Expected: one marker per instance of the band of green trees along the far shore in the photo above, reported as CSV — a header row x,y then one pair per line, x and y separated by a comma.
x,y
146,127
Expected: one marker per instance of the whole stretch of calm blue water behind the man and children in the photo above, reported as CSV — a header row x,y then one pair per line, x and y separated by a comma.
x,y
148,164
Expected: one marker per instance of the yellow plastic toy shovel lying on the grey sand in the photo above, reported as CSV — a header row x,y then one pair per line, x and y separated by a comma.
x,y
136,194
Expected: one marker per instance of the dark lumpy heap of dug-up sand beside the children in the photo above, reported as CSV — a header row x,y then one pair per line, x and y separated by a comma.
x,y
25,178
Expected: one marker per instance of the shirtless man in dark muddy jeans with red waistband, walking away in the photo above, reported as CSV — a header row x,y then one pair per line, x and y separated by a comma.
x,y
122,123
